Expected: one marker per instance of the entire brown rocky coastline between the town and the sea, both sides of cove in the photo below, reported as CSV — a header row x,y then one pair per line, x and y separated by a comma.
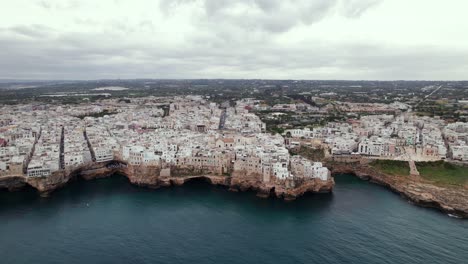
x,y
452,201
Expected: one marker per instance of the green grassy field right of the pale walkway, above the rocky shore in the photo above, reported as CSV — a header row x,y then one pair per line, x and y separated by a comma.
x,y
443,173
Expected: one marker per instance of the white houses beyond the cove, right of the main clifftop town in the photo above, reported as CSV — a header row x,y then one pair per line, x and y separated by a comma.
x,y
390,137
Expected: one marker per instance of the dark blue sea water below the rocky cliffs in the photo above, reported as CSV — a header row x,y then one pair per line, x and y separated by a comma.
x,y
111,221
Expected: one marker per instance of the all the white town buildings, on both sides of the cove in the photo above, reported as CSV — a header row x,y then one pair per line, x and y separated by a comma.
x,y
191,132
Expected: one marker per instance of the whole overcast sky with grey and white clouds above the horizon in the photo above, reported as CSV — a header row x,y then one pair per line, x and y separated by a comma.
x,y
265,39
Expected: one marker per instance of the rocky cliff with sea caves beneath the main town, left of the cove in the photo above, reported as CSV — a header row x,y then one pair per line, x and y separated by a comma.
x,y
154,177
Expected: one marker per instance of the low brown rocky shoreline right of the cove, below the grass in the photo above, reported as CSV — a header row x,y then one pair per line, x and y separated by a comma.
x,y
452,201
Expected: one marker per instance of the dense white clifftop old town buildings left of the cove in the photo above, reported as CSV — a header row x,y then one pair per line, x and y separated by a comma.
x,y
182,132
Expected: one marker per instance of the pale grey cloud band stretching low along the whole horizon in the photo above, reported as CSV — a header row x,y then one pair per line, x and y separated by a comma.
x,y
91,56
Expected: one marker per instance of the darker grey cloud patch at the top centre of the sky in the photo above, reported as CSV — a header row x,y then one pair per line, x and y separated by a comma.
x,y
271,16
